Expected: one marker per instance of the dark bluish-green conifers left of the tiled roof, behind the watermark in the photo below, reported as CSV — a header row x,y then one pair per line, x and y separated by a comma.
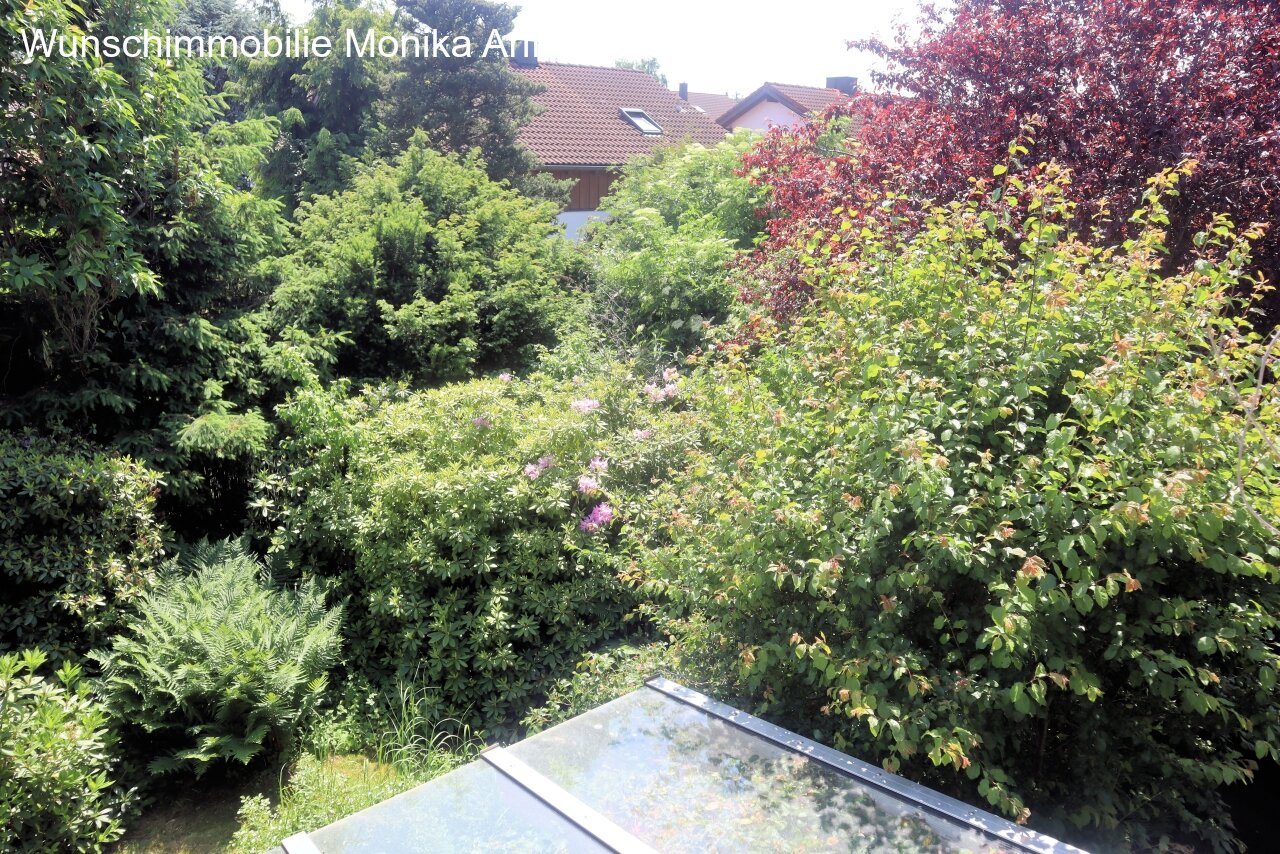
x,y
340,109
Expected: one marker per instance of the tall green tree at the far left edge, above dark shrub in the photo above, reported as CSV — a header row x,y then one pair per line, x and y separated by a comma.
x,y
126,240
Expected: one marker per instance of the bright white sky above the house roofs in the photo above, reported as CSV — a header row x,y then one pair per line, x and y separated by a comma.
x,y
714,45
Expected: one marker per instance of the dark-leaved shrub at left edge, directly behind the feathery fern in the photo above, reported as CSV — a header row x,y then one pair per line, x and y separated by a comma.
x,y
79,542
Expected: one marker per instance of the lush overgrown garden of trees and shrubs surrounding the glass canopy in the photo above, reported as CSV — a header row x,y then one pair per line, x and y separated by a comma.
x,y
943,428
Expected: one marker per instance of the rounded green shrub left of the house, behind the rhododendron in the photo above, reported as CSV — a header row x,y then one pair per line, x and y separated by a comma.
x,y
429,268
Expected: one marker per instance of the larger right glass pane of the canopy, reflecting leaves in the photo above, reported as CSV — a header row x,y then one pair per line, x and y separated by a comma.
x,y
684,780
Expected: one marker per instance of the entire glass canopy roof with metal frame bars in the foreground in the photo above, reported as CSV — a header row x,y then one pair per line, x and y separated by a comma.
x,y
669,769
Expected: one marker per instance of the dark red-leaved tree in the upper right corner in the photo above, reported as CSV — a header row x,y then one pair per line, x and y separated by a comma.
x,y
1119,92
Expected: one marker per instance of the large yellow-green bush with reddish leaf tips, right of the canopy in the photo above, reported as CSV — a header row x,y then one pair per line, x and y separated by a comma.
x,y
999,513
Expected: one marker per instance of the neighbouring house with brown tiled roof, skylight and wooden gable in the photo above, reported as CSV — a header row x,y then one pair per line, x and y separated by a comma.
x,y
595,120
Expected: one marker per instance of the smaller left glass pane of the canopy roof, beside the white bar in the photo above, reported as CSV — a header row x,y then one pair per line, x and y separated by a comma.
x,y
470,810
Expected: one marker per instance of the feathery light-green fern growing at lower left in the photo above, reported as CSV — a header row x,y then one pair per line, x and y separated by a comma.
x,y
220,665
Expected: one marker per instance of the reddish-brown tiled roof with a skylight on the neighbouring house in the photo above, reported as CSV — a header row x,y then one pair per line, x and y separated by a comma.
x,y
582,125
